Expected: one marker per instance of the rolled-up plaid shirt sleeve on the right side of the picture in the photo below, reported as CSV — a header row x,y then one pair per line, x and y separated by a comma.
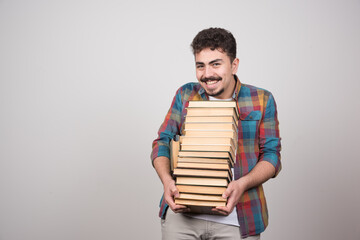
x,y
270,146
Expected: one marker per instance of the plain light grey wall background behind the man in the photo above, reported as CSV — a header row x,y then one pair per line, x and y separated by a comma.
x,y
84,86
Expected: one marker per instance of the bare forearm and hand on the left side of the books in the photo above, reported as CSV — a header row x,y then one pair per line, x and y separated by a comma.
x,y
162,167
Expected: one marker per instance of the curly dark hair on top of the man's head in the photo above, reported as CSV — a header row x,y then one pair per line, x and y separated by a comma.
x,y
215,38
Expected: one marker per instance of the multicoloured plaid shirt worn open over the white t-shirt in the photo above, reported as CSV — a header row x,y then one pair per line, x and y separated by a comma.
x,y
258,140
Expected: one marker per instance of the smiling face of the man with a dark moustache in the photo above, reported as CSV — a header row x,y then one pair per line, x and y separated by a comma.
x,y
215,71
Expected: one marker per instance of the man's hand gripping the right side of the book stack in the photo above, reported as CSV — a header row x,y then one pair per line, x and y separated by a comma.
x,y
233,194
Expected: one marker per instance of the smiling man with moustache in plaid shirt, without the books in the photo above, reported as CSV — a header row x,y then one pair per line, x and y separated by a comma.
x,y
258,152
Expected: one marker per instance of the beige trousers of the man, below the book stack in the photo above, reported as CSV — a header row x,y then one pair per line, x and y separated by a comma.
x,y
177,226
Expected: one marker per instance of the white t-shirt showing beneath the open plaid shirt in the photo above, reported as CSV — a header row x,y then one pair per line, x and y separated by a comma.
x,y
231,219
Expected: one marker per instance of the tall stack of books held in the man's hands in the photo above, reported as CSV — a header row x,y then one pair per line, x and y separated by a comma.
x,y
203,156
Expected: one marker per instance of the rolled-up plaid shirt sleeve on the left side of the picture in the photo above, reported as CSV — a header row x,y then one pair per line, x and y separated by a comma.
x,y
168,129
